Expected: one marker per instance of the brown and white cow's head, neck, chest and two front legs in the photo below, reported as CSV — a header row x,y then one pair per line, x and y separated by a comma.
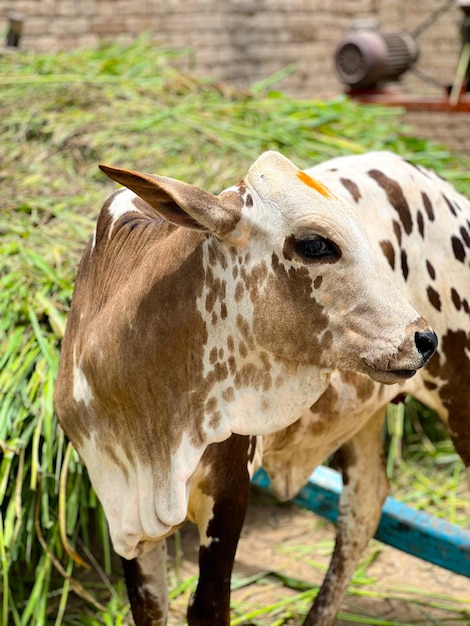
x,y
197,320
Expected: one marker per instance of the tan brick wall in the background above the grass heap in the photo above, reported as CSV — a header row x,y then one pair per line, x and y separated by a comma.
x,y
244,41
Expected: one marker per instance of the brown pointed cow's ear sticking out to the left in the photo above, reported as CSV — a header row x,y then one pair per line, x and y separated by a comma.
x,y
181,203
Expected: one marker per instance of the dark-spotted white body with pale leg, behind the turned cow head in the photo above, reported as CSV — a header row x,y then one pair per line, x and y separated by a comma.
x,y
421,227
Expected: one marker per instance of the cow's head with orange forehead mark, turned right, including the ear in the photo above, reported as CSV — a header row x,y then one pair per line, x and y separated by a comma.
x,y
310,289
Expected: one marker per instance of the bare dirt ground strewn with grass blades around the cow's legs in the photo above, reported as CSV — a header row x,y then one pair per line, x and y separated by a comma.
x,y
295,542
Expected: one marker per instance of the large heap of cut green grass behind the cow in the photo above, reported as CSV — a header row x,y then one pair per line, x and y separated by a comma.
x,y
62,114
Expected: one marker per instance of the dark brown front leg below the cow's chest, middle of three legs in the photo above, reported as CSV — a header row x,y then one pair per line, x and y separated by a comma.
x,y
219,499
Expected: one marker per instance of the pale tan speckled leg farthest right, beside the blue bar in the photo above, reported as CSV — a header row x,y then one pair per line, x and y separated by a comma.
x,y
365,487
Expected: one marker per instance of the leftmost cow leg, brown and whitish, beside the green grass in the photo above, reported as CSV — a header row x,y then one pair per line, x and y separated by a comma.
x,y
146,581
